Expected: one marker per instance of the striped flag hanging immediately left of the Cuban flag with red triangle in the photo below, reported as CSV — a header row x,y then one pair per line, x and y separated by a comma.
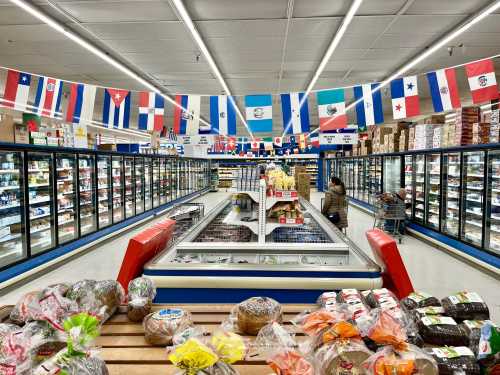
x,y
81,103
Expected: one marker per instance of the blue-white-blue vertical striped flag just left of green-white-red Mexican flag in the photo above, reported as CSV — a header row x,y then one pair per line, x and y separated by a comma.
x,y
295,113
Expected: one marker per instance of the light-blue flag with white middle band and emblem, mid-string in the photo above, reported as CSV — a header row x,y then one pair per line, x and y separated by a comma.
x,y
259,113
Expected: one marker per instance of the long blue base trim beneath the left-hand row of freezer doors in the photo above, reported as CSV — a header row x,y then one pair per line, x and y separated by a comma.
x,y
37,261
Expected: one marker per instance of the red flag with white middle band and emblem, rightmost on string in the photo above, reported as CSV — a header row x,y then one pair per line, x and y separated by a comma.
x,y
482,81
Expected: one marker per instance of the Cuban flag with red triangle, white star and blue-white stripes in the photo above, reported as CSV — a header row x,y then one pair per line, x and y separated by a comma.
x,y
116,109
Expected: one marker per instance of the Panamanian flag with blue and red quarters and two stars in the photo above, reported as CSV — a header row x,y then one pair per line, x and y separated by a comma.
x,y
405,100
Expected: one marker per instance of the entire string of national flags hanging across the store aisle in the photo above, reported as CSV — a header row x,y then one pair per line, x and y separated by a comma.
x,y
331,103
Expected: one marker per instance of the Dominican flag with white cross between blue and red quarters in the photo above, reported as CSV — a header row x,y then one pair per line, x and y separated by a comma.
x,y
151,111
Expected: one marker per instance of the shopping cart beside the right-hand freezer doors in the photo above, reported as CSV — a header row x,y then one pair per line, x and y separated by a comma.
x,y
390,214
